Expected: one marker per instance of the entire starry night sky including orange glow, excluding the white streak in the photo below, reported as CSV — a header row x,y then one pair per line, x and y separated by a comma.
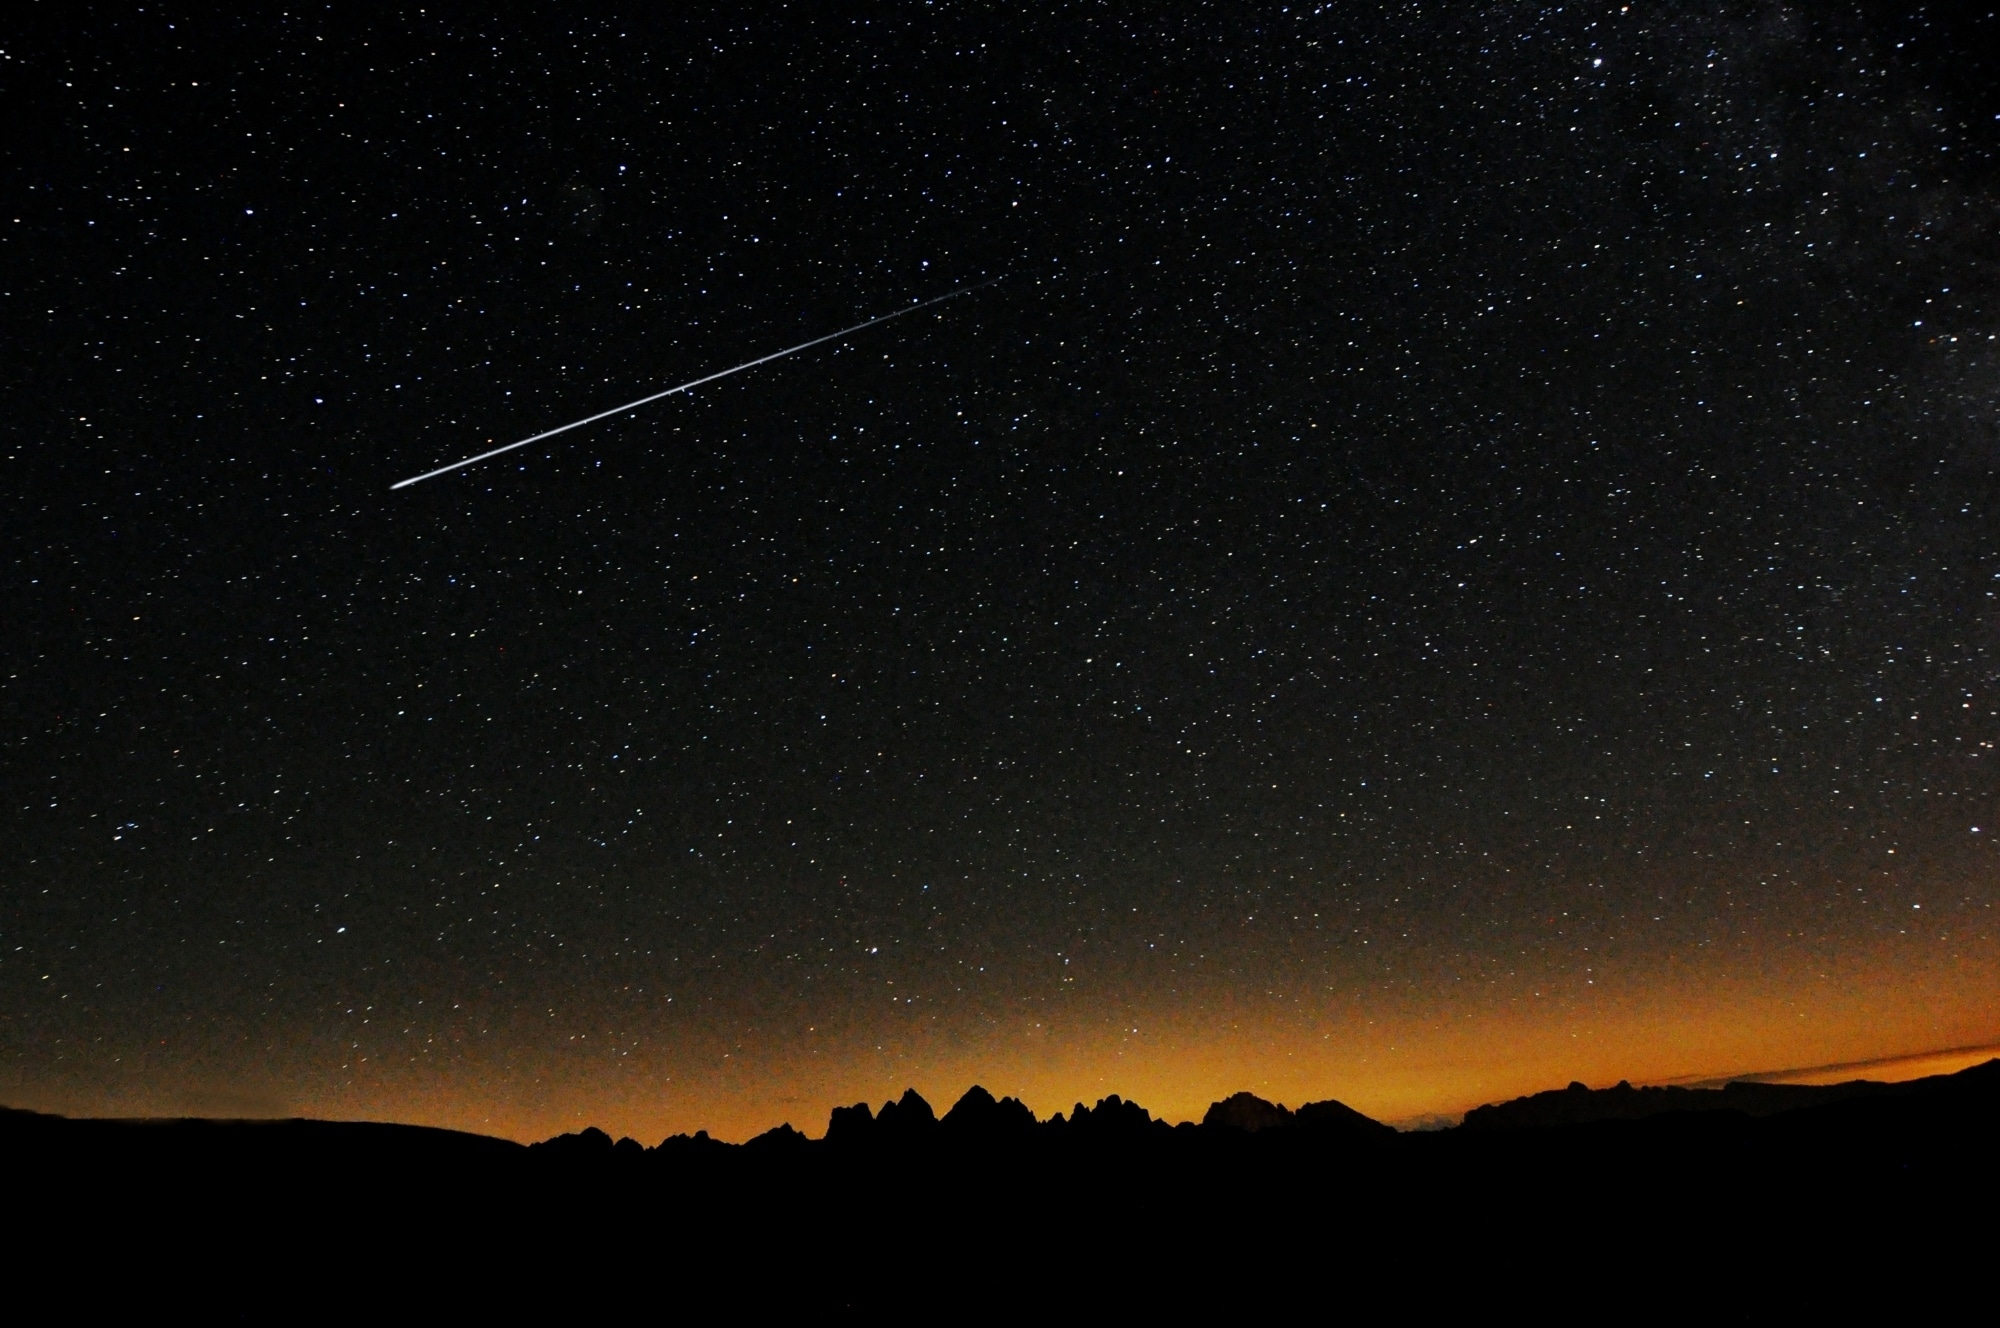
x,y
1461,555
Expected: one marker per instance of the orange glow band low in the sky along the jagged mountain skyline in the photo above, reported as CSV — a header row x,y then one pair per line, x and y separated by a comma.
x,y
1401,1061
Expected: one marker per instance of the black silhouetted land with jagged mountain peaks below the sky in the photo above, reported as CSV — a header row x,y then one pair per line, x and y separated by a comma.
x,y
1745,1203
